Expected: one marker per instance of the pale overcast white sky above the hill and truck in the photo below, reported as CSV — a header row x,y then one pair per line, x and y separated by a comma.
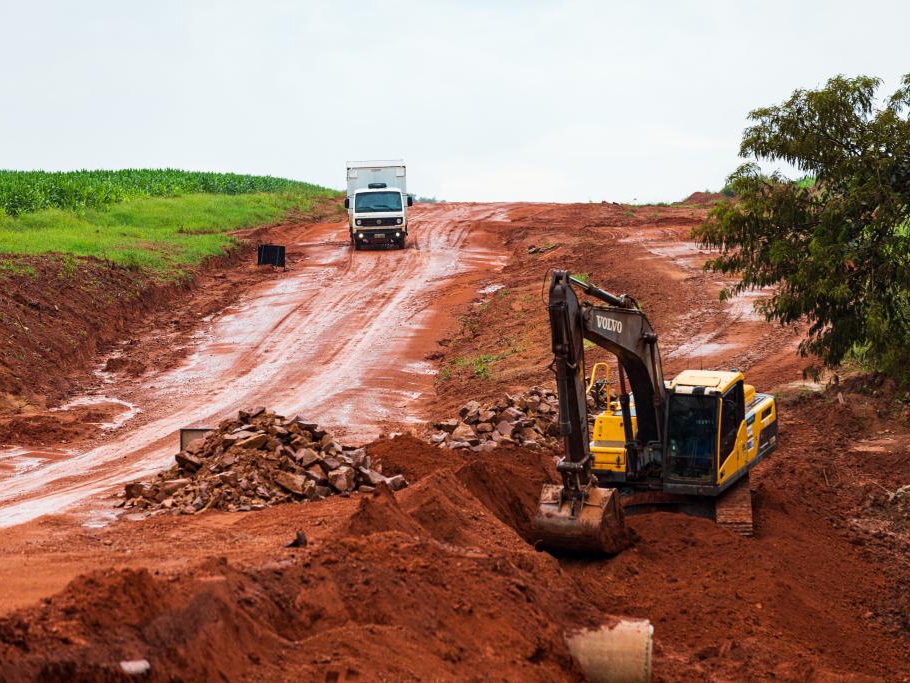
x,y
519,99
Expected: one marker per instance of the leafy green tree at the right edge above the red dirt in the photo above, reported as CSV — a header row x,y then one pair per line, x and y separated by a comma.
x,y
836,251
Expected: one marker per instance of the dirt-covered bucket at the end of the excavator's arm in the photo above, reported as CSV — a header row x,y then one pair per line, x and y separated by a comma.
x,y
593,525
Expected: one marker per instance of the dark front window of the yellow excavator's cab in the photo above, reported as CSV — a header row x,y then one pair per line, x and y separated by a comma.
x,y
692,436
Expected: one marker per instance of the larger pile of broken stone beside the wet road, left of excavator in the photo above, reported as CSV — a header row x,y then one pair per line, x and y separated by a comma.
x,y
259,459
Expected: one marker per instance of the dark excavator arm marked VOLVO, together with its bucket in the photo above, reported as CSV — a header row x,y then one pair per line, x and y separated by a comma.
x,y
578,515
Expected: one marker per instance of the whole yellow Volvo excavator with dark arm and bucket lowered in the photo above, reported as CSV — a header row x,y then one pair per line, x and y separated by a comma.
x,y
687,444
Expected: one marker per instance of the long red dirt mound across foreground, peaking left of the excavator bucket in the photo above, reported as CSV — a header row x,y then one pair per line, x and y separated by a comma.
x,y
418,587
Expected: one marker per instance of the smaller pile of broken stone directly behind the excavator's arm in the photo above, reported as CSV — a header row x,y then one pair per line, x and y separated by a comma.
x,y
530,419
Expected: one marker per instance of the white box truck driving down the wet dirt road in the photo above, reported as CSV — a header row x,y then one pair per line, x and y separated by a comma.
x,y
377,202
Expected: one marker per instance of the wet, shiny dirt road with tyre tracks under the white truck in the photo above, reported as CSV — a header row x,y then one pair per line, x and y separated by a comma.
x,y
341,337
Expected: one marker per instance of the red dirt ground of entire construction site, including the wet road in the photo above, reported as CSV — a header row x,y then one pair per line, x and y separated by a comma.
x,y
436,581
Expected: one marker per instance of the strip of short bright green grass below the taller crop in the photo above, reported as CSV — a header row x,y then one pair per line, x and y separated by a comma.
x,y
160,235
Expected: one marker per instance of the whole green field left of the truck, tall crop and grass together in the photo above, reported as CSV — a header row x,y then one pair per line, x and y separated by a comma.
x,y
154,221
